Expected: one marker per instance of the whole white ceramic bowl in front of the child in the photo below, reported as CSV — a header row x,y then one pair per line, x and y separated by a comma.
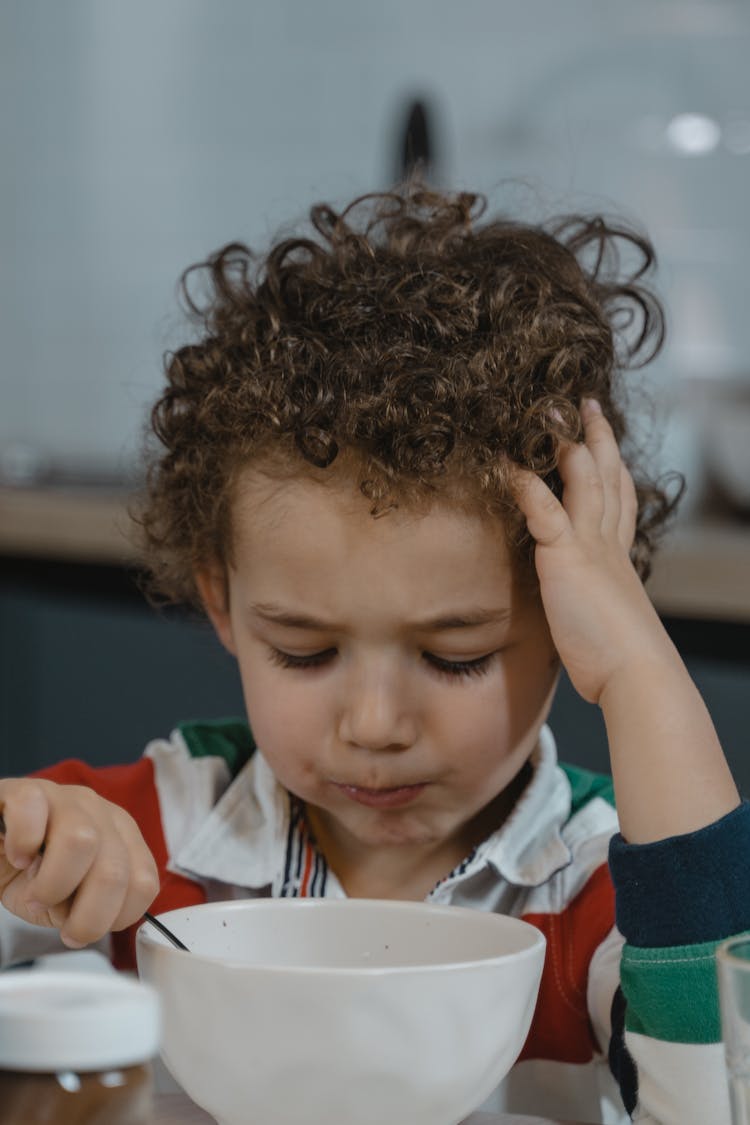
x,y
342,1013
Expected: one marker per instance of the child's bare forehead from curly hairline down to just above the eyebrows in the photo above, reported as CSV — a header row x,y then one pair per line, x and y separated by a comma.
x,y
317,525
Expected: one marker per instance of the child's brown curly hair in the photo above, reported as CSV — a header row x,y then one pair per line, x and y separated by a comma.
x,y
431,349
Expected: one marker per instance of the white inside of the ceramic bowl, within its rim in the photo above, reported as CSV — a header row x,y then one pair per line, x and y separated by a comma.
x,y
353,934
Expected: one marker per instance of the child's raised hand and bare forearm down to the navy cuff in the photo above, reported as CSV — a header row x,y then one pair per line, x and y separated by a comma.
x,y
668,768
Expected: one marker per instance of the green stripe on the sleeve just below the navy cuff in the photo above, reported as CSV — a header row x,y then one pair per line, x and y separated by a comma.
x,y
673,994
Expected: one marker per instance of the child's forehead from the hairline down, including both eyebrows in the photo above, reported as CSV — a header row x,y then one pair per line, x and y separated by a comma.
x,y
305,544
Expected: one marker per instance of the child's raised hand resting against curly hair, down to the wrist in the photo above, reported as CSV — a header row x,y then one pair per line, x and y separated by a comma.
x,y
598,610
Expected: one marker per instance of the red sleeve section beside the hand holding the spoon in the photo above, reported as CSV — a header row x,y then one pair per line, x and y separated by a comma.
x,y
133,788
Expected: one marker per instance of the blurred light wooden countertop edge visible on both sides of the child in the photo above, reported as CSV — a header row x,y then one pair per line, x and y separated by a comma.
x,y
702,570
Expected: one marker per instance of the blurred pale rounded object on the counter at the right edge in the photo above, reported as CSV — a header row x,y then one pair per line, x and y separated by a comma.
x,y
727,444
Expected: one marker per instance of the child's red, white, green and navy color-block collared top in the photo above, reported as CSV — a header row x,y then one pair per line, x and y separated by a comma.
x,y
627,1021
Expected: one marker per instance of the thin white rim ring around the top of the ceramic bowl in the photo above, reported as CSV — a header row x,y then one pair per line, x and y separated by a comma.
x,y
160,947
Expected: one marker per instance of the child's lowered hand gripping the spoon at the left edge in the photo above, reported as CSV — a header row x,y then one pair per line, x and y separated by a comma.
x,y
73,860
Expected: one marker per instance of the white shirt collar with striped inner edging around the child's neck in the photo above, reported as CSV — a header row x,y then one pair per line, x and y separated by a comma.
x,y
256,838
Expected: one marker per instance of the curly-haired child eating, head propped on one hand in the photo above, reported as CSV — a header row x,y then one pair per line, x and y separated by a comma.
x,y
391,473
